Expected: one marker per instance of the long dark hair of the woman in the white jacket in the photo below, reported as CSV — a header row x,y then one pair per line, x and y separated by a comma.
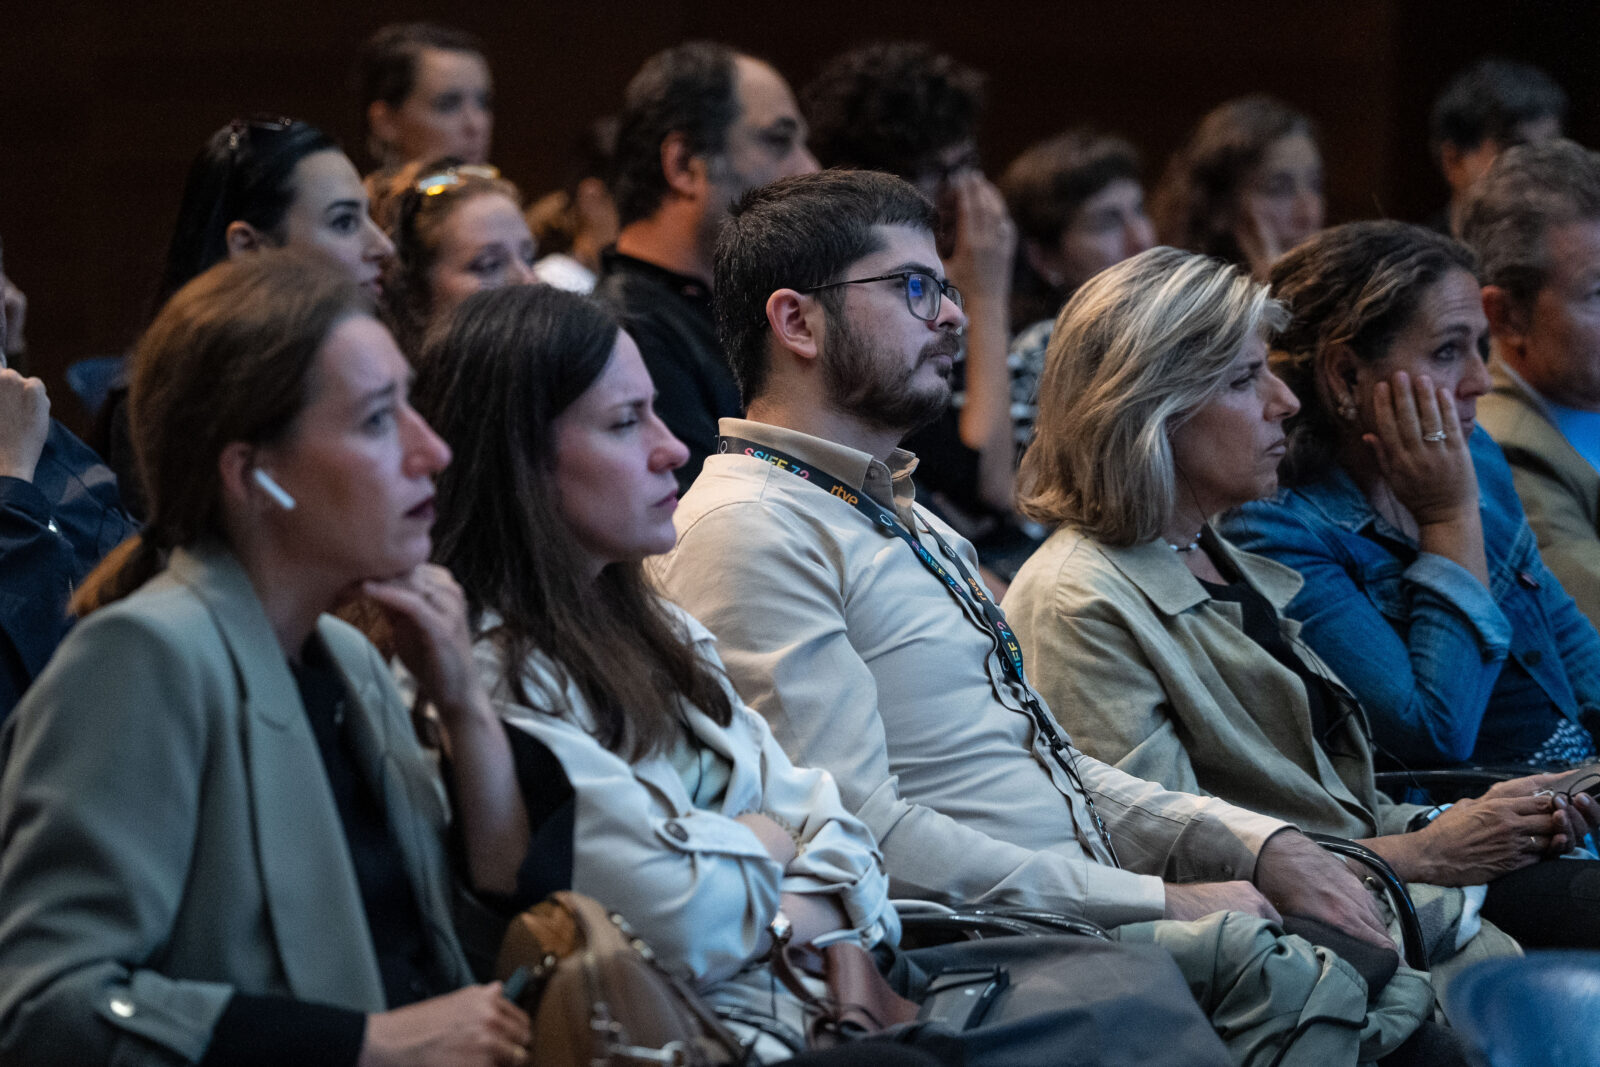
x,y
492,380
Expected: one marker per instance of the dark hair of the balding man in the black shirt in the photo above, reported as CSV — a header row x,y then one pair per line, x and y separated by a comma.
x,y
689,89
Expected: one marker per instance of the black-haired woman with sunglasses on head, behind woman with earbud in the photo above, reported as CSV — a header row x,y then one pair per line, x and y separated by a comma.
x,y
258,183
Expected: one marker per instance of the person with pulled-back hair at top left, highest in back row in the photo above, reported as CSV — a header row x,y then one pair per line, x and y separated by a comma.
x,y
425,94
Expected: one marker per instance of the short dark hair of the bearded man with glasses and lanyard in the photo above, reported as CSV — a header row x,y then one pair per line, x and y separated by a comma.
x,y
798,233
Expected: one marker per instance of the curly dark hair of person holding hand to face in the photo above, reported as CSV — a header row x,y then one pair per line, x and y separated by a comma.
x,y
892,108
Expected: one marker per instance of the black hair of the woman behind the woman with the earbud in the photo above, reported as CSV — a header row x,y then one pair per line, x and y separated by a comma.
x,y
242,175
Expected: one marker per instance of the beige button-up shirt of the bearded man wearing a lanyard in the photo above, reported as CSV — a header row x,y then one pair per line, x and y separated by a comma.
x,y
866,665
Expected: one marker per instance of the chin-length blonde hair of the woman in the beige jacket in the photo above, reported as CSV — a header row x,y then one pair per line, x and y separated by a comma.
x,y
1134,354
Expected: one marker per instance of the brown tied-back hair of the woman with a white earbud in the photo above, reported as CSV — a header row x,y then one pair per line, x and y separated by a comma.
x,y
230,359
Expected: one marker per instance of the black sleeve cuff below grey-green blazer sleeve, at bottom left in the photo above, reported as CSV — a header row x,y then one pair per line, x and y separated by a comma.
x,y
270,1031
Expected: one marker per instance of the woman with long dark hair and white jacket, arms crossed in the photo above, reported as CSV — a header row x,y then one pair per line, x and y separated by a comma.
x,y
682,812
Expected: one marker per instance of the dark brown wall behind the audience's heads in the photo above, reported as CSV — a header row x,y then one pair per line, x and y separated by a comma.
x,y
103,105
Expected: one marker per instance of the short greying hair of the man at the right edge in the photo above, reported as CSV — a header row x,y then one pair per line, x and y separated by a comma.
x,y
1526,193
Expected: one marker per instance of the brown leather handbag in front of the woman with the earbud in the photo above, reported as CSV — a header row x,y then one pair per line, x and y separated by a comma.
x,y
598,996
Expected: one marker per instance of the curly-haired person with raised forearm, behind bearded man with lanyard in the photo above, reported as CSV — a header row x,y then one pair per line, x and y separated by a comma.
x,y
905,110
